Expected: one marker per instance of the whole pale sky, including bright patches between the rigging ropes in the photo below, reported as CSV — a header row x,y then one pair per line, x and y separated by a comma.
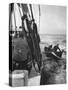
x,y
52,18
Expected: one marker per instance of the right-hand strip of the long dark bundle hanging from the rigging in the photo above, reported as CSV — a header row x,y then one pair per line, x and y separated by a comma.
x,y
37,41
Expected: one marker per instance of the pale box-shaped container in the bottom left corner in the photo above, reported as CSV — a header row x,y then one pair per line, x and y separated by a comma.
x,y
18,78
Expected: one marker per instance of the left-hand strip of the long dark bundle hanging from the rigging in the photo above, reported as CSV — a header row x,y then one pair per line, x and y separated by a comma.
x,y
30,36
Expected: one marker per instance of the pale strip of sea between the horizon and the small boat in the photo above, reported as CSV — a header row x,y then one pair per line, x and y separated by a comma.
x,y
53,39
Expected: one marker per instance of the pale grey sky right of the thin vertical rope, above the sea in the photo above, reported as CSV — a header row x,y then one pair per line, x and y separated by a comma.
x,y
52,19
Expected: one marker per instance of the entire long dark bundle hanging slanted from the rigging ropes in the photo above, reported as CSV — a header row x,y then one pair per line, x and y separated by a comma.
x,y
33,40
